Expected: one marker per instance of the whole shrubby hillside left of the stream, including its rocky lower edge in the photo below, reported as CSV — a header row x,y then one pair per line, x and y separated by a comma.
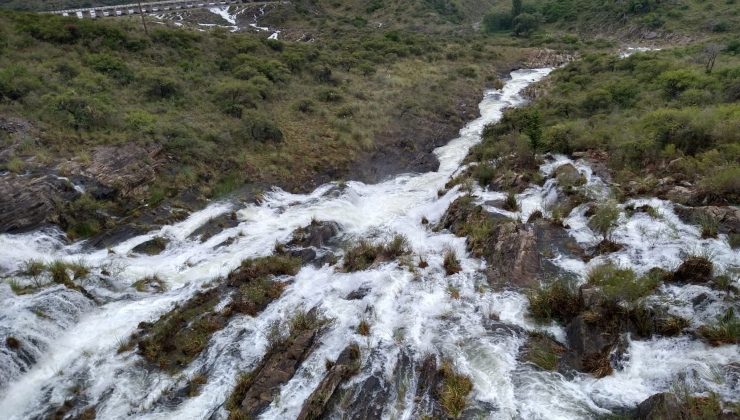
x,y
215,110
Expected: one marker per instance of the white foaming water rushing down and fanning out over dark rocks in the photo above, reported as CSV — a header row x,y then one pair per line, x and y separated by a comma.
x,y
74,343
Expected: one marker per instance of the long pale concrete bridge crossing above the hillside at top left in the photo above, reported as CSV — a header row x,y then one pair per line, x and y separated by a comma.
x,y
149,7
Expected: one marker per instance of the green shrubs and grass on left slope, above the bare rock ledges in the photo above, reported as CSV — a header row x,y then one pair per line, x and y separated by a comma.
x,y
229,108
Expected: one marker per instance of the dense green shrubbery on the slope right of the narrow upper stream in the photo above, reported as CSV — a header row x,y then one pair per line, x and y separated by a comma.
x,y
646,111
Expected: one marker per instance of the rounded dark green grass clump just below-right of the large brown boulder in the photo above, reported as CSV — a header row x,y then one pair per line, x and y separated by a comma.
x,y
558,300
